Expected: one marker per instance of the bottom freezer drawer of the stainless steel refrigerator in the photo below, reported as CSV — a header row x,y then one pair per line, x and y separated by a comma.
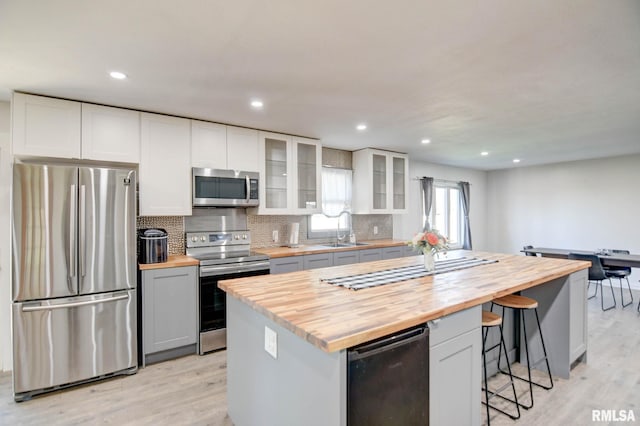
x,y
62,341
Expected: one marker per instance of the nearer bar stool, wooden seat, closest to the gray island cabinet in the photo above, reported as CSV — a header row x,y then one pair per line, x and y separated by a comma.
x,y
489,319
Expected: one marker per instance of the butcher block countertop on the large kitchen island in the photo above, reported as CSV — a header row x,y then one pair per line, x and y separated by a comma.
x,y
335,318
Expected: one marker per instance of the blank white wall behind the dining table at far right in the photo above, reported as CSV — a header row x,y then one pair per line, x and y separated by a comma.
x,y
576,205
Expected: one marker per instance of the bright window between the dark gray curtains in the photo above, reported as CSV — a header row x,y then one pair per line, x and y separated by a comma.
x,y
446,213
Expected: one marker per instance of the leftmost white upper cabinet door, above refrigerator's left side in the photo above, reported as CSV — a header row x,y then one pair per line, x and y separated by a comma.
x,y
45,127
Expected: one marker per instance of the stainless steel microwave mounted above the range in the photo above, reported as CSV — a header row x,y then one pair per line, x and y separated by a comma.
x,y
224,188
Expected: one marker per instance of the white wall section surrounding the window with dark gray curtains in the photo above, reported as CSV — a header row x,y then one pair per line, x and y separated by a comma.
x,y
406,225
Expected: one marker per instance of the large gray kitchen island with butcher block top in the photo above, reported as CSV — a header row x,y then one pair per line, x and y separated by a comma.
x,y
316,323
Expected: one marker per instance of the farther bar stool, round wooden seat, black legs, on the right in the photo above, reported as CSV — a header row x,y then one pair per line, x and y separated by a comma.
x,y
522,304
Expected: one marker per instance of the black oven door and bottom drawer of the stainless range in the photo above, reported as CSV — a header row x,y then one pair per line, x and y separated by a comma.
x,y
213,308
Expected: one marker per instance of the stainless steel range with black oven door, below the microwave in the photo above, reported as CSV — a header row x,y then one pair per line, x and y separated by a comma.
x,y
219,239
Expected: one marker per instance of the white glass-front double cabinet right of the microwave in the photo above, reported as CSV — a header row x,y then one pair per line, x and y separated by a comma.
x,y
290,176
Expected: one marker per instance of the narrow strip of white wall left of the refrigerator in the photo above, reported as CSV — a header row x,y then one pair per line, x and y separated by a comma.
x,y
5,240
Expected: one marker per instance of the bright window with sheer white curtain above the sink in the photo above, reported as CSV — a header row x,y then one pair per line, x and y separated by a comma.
x,y
336,198
